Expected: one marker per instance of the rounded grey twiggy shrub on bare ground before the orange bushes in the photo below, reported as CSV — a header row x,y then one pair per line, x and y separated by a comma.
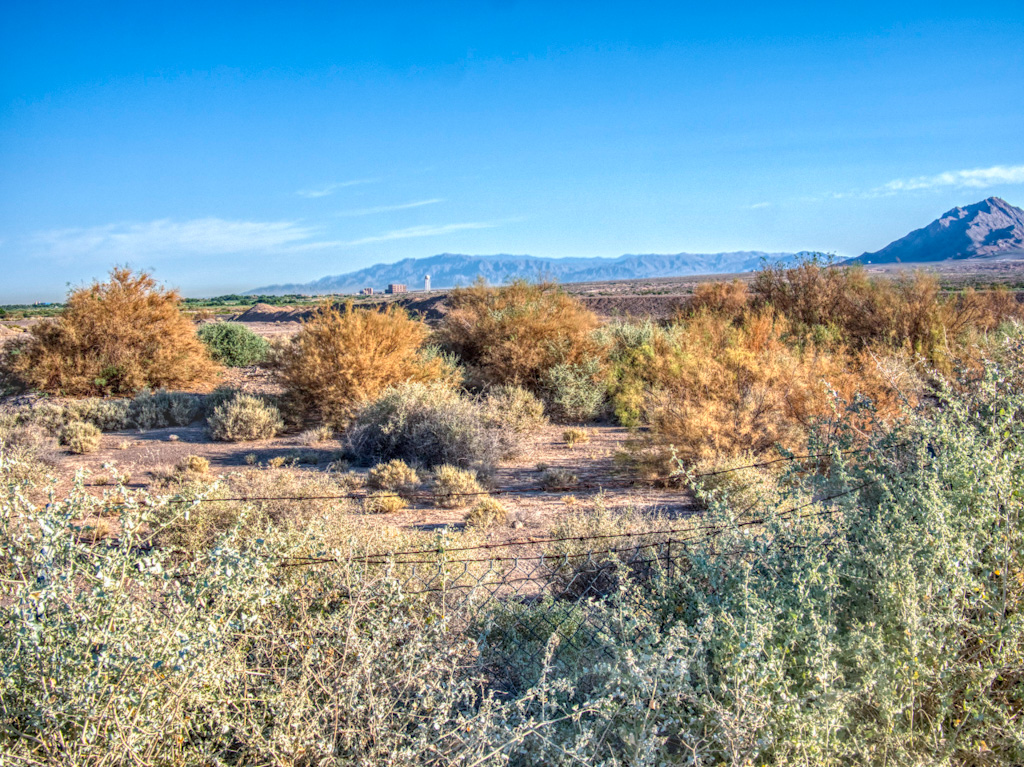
x,y
430,424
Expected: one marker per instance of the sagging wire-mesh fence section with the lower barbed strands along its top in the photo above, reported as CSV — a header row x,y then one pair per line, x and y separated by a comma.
x,y
552,607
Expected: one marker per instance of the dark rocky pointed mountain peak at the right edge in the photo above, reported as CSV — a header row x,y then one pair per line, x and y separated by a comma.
x,y
992,229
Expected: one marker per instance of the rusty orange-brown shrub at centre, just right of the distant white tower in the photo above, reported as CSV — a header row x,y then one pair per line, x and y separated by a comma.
x,y
513,335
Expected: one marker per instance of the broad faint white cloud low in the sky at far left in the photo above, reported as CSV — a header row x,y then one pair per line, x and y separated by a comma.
x,y
165,237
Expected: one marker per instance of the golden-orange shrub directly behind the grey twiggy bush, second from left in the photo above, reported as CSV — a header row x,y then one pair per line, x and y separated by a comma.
x,y
343,359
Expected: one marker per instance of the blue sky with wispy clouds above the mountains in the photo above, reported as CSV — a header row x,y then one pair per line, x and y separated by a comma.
x,y
231,146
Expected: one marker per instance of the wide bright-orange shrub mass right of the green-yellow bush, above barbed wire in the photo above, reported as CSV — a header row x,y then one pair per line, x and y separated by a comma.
x,y
726,390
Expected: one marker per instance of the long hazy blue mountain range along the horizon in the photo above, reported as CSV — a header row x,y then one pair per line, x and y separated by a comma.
x,y
451,270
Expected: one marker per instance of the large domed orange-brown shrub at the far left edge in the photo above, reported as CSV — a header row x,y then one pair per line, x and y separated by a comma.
x,y
114,338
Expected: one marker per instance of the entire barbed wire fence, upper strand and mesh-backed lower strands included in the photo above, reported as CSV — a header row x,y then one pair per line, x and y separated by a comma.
x,y
542,599
